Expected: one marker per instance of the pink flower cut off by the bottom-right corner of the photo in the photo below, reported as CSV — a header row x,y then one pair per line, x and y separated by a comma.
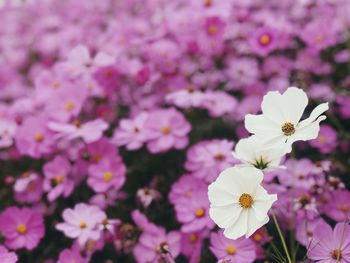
x,y
330,246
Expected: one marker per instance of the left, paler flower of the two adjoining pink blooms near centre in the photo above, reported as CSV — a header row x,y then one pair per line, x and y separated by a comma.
x,y
131,132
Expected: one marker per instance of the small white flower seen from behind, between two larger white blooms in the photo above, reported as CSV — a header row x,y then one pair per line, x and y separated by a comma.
x,y
252,152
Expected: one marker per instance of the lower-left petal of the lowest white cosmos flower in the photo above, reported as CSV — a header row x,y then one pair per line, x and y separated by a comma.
x,y
225,216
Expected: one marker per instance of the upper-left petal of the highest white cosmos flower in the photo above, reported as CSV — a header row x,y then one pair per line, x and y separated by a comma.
x,y
272,106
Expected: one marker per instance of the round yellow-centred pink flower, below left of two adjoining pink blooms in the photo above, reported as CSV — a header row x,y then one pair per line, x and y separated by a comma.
x,y
107,174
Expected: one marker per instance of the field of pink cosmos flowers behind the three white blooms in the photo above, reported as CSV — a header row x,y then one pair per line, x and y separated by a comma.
x,y
115,116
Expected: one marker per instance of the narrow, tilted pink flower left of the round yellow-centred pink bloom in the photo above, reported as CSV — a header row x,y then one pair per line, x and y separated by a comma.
x,y
57,181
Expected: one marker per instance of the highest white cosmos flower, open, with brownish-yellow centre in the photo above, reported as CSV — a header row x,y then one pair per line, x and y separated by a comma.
x,y
280,119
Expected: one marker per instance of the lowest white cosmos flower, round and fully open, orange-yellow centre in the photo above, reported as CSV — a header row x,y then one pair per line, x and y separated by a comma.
x,y
239,203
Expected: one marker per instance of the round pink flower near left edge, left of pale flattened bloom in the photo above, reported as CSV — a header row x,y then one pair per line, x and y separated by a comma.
x,y
33,138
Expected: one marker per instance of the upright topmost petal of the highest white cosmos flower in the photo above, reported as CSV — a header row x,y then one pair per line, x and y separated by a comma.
x,y
294,103
